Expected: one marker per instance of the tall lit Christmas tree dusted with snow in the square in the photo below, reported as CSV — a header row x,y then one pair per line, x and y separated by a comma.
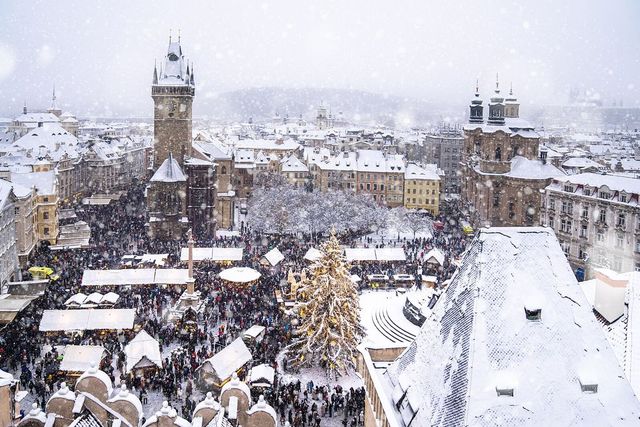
x,y
329,316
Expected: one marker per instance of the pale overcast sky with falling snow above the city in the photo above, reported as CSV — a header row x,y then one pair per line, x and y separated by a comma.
x,y
100,54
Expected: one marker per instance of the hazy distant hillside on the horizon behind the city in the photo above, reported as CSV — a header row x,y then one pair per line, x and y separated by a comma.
x,y
262,104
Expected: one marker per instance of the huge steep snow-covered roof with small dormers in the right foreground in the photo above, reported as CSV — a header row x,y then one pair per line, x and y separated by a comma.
x,y
512,339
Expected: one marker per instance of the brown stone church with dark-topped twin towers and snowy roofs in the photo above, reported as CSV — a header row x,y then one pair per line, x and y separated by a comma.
x,y
504,171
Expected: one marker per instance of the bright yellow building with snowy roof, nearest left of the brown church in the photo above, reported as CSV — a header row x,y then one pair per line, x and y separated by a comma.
x,y
422,188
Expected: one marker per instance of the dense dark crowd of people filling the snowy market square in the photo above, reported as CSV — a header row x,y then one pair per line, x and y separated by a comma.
x,y
118,229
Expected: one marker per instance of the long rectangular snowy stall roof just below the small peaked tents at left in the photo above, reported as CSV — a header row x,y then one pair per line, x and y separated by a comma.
x,y
86,320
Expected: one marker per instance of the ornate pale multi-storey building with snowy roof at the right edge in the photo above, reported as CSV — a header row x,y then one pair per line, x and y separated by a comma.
x,y
597,220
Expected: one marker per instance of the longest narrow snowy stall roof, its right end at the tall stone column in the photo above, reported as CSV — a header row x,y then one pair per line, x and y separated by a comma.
x,y
135,276
